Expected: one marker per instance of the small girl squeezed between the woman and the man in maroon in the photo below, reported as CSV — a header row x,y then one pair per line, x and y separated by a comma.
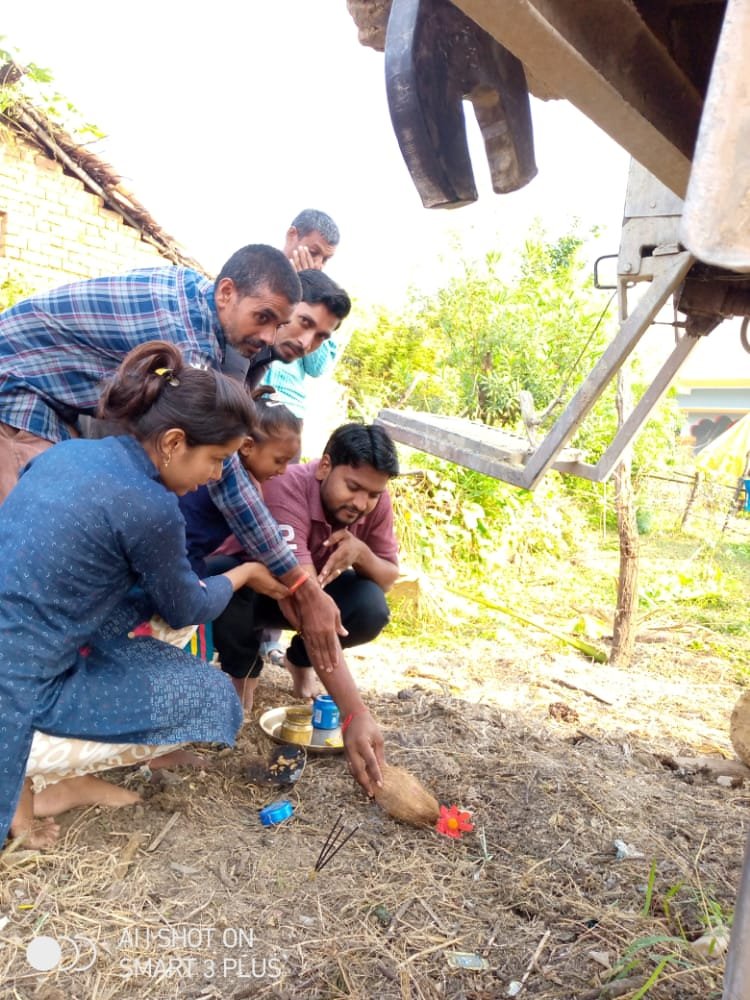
x,y
273,442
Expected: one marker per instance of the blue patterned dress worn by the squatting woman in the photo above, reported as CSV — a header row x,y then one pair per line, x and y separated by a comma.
x,y
87,522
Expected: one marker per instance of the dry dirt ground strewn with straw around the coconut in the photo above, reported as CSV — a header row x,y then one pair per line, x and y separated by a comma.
x,y
595,862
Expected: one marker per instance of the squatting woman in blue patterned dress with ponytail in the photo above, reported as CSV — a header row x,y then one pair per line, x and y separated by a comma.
x,y
92,542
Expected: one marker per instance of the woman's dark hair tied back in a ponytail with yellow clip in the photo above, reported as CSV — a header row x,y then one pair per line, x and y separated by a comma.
x,y
154,389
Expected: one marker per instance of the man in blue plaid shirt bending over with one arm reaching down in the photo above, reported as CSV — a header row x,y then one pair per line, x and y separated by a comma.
x,y
57,347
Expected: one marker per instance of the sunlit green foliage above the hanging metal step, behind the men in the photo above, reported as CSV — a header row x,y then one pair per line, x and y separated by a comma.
x,y
471,348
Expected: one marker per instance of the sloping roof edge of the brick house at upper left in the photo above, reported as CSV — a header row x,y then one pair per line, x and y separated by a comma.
x,y
97,176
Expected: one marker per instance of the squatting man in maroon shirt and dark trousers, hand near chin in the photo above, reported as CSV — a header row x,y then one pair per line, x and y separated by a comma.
x,y
336,515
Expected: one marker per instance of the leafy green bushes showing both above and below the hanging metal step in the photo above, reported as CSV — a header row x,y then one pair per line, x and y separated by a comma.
x,y
469,350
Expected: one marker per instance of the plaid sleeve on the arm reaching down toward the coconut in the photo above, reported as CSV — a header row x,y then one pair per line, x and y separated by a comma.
x,y
250,520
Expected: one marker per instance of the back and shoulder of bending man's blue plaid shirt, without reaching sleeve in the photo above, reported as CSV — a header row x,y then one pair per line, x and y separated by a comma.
x,y
57,347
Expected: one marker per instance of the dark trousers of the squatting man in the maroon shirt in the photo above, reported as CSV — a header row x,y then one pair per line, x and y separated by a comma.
x,y
237,630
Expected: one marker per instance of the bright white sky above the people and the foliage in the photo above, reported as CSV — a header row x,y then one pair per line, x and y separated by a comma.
x,y
225,119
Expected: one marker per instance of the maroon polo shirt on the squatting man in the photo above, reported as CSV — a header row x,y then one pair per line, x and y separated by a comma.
x,y
294,501
